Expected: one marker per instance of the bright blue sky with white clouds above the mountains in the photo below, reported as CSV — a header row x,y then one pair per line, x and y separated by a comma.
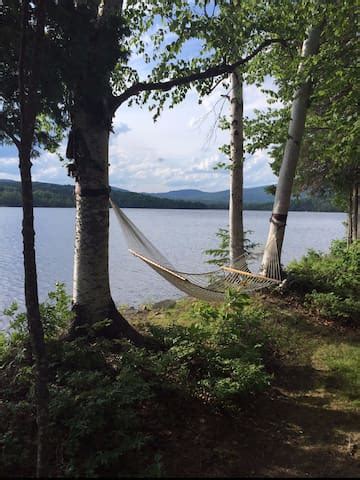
x,y
178,151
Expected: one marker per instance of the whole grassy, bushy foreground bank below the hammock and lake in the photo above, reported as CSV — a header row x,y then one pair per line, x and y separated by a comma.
x,y
258,387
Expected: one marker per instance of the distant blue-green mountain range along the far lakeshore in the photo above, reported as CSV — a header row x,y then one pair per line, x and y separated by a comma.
x,y
257,198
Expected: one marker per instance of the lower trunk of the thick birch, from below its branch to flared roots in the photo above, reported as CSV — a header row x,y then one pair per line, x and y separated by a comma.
x,y
92,301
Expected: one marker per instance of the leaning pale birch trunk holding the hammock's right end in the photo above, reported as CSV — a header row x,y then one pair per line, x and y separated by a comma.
x,y
291,156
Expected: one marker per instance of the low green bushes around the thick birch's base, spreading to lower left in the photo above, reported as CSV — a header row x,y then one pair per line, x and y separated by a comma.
x,y
102,392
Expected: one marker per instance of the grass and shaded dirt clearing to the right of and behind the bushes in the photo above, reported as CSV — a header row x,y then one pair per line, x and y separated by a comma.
x,y
305,424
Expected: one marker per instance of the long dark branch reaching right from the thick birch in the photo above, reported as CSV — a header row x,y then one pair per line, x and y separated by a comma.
x,y
214,71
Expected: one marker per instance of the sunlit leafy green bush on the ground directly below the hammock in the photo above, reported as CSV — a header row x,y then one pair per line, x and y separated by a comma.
x,y
218,357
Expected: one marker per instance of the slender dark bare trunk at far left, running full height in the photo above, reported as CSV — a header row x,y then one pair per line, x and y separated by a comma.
x,y
29,64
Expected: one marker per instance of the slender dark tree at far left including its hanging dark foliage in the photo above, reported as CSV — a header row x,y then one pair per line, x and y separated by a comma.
x,y
30,117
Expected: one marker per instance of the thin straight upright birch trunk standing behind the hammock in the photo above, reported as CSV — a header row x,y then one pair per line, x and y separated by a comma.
x,y
236,229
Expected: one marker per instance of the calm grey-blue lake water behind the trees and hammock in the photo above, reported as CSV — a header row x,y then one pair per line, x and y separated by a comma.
x,y
182,235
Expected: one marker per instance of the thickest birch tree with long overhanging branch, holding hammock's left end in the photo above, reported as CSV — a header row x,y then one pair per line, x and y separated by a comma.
x,y
92,48
